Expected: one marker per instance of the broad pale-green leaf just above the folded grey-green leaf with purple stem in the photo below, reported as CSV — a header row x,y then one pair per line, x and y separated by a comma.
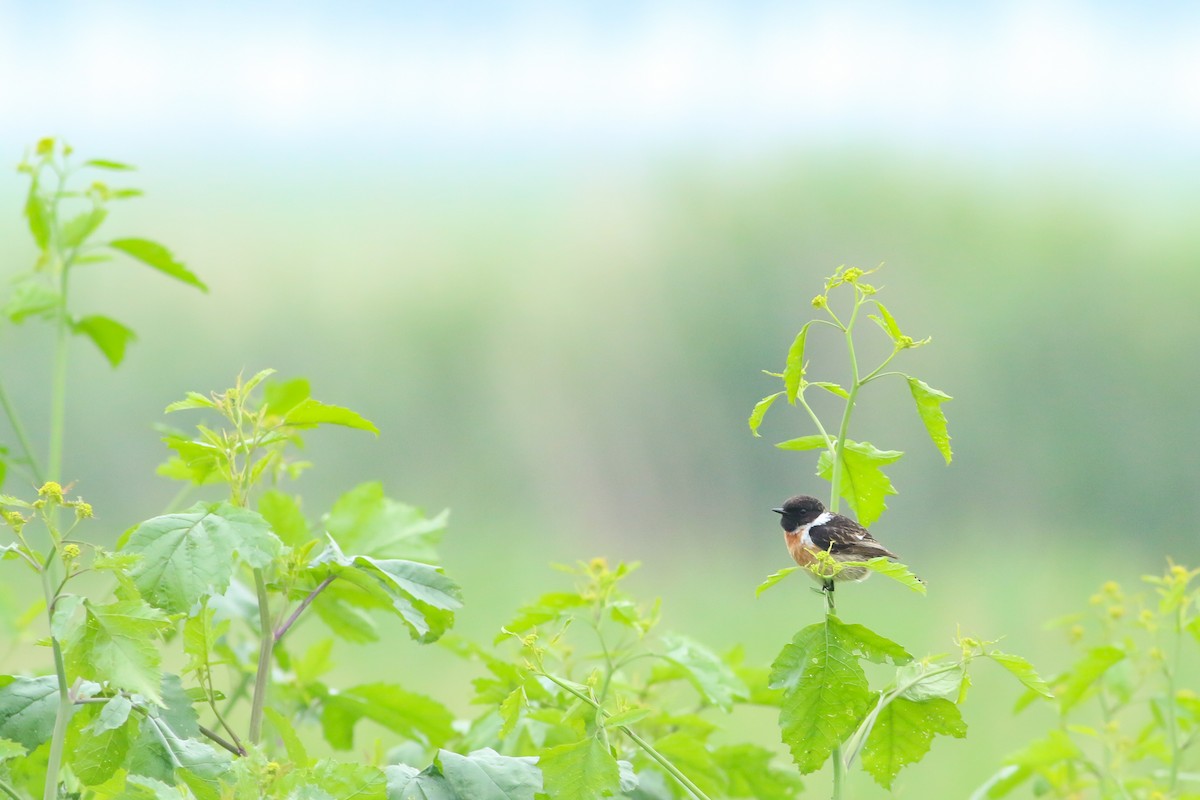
x,y
364,521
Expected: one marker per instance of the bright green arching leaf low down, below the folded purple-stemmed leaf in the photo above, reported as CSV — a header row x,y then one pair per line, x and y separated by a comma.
x,y
409,714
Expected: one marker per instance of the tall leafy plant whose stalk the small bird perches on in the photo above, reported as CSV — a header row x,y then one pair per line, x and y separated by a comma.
x,y
829,711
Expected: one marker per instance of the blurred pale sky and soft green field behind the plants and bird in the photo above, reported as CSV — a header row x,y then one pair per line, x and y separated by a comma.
x,y
560,326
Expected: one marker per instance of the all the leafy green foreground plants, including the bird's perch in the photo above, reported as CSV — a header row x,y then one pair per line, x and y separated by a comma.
x,y
201,653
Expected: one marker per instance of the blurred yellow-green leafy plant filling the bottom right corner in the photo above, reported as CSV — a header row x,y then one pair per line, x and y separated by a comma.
x,y
1129,714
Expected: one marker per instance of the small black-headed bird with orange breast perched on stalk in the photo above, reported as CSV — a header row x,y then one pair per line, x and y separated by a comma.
x,y
809,528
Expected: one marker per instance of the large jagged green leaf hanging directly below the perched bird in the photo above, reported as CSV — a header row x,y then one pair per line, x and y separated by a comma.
x,y
825,691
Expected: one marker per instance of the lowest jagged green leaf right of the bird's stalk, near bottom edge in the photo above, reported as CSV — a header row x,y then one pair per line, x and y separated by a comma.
x,y
904,732
